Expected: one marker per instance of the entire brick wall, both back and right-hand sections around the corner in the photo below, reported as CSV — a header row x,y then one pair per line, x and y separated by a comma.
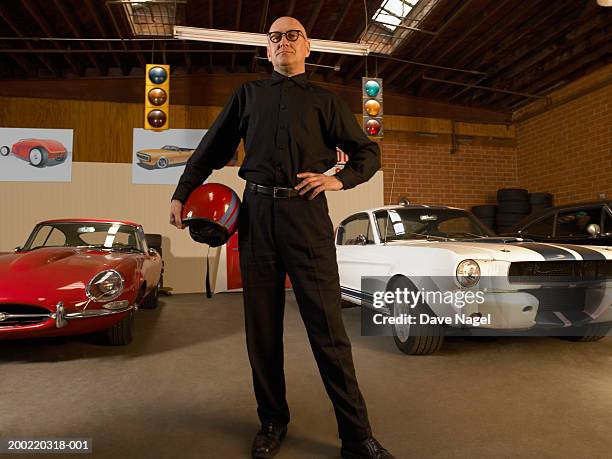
x,y
566,150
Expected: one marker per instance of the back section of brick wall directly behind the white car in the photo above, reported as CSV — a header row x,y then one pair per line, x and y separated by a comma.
x,y
427,173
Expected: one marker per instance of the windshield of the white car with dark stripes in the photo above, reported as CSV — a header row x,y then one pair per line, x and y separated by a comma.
x,y
431,224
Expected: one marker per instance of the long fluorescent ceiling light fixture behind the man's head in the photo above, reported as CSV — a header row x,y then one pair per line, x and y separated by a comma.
x,y
261,39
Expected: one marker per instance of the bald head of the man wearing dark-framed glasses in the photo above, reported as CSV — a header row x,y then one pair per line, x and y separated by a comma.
x,y
288,57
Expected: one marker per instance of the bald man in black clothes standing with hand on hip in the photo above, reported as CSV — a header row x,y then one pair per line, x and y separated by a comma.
x,y
291,129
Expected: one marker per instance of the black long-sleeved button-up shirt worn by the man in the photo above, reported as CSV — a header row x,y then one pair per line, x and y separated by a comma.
x,y
289,125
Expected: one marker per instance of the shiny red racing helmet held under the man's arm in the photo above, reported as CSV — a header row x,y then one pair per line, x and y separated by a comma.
x,y
211,213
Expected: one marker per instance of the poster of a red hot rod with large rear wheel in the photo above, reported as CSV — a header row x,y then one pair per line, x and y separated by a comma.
x,y
35,155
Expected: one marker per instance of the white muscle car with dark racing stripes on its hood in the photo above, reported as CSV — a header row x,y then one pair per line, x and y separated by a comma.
x,y
424,272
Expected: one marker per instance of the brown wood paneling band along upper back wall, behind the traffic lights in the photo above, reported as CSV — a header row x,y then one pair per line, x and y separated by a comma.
x,y
103,131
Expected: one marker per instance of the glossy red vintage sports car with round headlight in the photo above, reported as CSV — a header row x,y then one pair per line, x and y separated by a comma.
x,y
78,276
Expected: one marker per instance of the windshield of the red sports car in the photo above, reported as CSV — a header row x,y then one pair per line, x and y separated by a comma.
x,y
115,236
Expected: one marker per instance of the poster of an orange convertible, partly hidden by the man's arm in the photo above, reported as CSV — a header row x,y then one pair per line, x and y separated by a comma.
x,y
160,157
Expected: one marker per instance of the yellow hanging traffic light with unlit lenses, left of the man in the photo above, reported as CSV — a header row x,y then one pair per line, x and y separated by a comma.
x,y
157,97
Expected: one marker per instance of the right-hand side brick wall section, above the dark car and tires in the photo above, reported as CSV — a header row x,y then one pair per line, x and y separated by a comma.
x,y
567,150
